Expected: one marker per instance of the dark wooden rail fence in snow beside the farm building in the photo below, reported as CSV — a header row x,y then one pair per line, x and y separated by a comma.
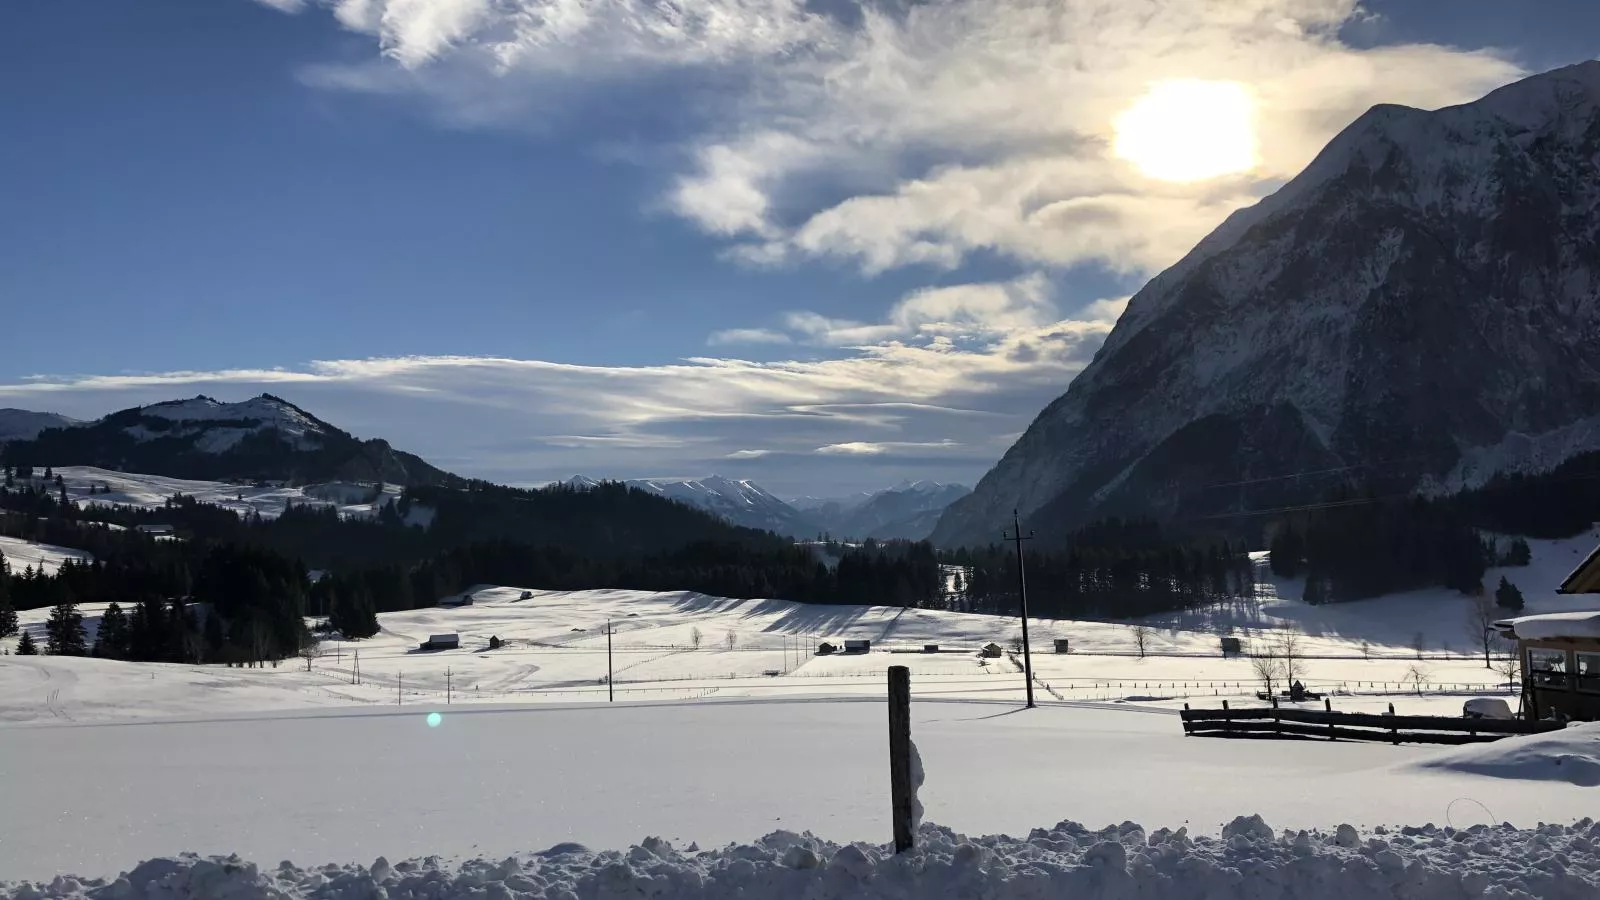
x,y
1310,725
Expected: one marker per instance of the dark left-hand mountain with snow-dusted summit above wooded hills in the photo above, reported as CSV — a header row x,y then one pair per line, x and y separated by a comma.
x,y
260,440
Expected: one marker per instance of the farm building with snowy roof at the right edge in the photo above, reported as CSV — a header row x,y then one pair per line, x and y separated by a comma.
x,y
1561,654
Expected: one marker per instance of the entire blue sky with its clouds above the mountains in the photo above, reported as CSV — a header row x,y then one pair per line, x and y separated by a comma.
x,y
825,246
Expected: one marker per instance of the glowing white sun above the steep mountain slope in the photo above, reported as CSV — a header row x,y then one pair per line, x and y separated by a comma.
x,y
1190,131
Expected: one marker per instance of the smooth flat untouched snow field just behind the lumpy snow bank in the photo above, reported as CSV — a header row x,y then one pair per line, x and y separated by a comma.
x,y
494,782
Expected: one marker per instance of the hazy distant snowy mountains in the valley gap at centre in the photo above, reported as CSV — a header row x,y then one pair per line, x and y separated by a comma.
x,y
910,510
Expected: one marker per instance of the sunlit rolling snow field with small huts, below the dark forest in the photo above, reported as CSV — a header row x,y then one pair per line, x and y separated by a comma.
x,y
556,651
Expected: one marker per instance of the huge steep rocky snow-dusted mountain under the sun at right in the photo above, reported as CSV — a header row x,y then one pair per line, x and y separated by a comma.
x,y
1417,310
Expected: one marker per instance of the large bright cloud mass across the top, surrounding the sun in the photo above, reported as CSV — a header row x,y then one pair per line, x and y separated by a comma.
x,y
929,132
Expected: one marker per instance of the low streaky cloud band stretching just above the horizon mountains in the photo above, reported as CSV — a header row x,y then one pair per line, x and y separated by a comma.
x,y
914,404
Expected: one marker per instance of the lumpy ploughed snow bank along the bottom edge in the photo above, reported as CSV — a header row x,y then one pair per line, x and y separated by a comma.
x,y
1068,861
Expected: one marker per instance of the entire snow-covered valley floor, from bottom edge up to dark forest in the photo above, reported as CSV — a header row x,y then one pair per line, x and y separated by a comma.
x,y
753,733
